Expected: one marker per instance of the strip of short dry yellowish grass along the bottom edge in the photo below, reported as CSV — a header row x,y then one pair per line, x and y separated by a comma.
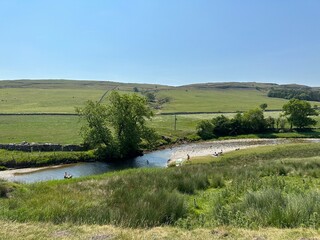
x,y
13,230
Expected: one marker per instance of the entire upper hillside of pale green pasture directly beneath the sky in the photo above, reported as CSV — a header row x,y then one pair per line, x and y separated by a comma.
x,y
62,96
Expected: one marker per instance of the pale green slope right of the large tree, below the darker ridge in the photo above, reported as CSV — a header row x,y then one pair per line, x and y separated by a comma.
x,y
215,100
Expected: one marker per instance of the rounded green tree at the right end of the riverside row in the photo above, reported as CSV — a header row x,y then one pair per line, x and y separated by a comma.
x,y
298,113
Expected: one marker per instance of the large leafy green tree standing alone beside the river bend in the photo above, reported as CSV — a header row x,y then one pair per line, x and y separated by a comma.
x,y
118,128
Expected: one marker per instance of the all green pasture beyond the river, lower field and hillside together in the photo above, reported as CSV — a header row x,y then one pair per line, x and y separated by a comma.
x,y
61,96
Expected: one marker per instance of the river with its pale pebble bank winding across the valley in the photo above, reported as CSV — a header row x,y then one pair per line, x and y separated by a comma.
x,y
153,159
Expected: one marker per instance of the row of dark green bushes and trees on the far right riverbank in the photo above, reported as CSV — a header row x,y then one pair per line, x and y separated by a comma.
x,y
298,113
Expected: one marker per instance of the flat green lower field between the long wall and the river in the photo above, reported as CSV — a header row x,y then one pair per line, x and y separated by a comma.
x,y
65,129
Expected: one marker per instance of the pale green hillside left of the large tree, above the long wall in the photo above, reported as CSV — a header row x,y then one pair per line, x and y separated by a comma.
x,y
56,96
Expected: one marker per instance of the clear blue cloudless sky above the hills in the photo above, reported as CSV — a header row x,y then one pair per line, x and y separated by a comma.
x,y
172,42
